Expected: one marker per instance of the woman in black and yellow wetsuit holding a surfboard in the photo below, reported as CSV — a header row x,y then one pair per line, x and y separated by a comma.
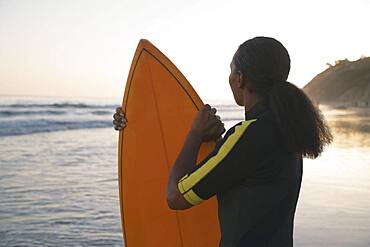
x,y
256,168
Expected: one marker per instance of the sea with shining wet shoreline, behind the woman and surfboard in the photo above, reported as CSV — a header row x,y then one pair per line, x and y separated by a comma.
x,y
59,187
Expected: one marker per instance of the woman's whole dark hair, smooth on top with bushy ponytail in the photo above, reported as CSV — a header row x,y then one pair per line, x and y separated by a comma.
x,y
265,63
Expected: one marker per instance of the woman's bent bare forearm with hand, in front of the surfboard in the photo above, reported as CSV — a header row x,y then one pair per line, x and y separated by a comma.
x,y
206,127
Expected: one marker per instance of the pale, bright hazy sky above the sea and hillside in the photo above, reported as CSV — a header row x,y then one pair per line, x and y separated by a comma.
x,y
84,48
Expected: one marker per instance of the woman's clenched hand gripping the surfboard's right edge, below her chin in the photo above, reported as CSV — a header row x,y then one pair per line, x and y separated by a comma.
x,y
207,125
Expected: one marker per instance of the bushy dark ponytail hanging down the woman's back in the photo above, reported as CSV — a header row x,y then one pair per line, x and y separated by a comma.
x,y
301,124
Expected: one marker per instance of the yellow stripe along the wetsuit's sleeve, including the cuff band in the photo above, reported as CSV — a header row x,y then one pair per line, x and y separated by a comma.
x,y
187,182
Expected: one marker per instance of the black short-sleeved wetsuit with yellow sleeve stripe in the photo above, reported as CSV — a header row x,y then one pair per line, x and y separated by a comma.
x,y
256,181
